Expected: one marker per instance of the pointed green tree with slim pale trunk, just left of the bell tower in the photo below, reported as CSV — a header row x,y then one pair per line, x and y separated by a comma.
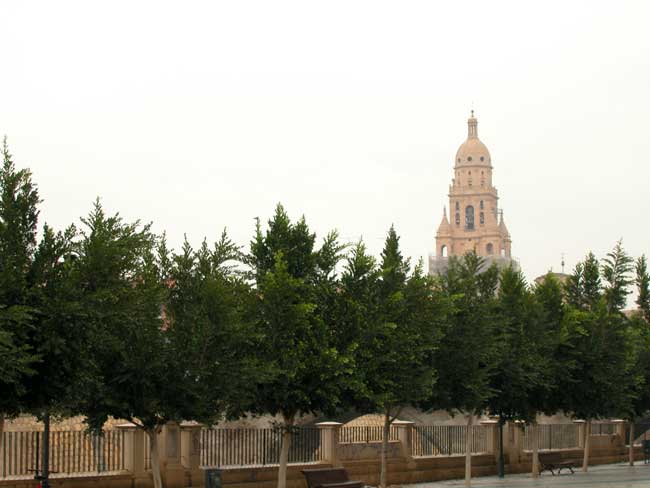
x,y
402,315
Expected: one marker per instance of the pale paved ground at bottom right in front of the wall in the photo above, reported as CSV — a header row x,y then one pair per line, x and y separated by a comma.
x,y
607,476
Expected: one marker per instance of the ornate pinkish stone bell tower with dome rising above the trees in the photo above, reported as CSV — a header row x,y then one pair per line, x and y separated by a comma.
x,y
475,221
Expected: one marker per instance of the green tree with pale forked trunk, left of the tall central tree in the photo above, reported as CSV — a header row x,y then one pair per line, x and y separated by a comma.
x,y
121,293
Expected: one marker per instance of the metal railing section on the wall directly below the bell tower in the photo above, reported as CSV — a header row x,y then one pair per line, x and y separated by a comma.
x,y
448,440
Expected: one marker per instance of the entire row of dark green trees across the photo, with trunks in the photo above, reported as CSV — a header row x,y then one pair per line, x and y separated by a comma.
x,y
104,320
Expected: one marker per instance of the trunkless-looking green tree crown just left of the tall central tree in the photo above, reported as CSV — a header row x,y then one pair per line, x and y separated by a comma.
x,y
208,315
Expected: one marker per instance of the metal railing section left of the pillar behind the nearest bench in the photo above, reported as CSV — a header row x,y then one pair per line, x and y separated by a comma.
x,y
257,447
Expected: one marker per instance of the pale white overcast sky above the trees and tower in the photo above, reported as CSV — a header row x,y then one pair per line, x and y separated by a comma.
x,y
204,115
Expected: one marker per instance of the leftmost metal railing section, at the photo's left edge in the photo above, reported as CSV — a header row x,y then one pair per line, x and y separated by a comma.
x,y
71,451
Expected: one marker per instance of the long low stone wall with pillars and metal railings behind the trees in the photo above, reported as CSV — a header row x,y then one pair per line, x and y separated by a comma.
x,y
249,458
